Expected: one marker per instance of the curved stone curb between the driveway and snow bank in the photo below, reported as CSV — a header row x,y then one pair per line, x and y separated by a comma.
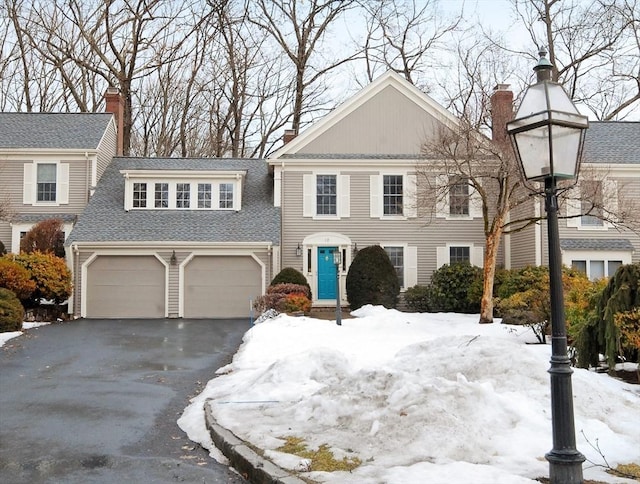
x,y
254,467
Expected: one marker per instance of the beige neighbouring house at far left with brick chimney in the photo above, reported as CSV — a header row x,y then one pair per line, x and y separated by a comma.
x,y
50,164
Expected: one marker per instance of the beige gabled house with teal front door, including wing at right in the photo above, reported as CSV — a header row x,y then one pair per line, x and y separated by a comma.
x,y
350,181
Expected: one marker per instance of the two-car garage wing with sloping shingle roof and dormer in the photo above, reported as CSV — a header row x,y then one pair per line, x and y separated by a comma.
x,y
175,237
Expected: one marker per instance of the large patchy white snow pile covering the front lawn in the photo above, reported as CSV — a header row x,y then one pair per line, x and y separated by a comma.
x,y
417,397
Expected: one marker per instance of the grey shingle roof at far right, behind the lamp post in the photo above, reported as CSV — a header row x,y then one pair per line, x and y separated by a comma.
x,y
612,142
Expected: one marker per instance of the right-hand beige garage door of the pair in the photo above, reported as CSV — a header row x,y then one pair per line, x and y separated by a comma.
x,y
221,286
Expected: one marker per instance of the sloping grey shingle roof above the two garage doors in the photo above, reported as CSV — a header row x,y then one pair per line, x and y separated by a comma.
x,y
105,219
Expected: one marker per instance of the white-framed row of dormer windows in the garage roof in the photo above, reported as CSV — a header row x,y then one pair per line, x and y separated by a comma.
x,y
174,190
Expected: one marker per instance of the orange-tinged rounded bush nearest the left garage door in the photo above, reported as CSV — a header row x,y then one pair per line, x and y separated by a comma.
x,y
50,274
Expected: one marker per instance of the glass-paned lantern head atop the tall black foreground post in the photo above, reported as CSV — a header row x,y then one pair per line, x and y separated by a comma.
x,y
548,131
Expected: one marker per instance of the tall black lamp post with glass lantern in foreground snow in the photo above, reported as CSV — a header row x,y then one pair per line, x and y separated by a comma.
x,y
547,135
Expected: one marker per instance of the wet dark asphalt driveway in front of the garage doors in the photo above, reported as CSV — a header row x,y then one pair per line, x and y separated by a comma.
x,y
96,401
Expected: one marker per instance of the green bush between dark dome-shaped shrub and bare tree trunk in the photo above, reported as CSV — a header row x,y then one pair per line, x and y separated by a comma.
x,y
450,288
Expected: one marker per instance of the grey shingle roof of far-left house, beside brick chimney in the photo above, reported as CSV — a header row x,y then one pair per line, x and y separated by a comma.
x,y
52,130
